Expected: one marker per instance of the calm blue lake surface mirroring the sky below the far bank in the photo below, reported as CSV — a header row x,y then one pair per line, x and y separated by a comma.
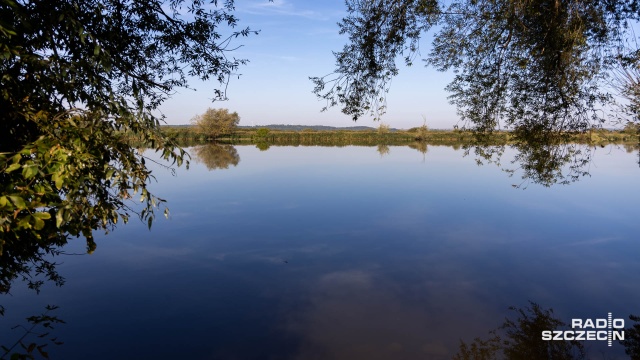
x,y
338,253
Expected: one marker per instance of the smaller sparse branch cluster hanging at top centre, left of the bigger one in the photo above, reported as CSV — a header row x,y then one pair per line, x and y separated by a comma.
x,y
378,32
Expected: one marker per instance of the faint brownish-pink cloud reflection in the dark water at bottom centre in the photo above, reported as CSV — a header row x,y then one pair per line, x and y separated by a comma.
x,y
354,314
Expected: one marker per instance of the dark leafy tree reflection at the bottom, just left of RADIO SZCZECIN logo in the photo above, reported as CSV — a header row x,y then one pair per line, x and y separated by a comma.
x,y
521,339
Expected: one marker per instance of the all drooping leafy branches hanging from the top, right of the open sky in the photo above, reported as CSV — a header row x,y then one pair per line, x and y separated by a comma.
x,y
524,65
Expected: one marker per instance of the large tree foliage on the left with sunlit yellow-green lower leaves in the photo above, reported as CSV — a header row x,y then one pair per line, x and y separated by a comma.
x,y
80,85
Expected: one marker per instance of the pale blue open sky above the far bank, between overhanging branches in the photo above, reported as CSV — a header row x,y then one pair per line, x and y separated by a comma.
x,y
296,41
